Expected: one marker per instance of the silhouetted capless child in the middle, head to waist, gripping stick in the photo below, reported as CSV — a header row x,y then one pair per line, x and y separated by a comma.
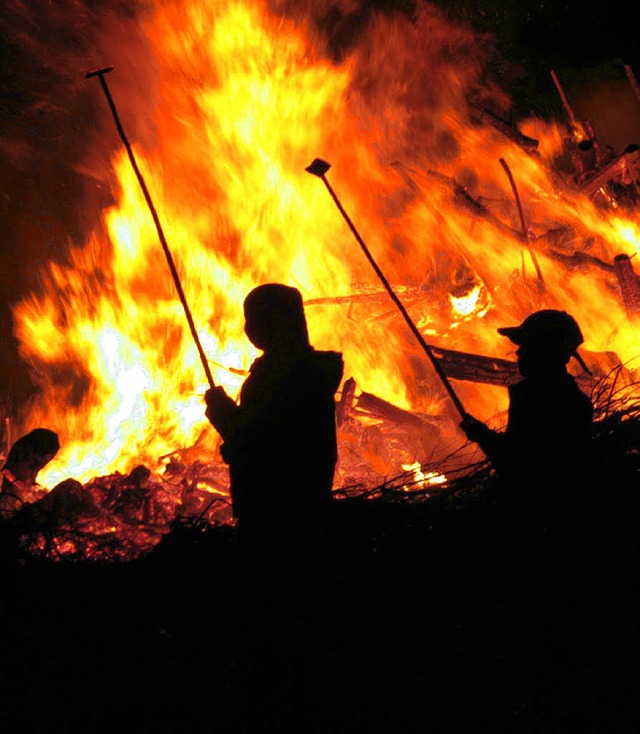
x,y
280,440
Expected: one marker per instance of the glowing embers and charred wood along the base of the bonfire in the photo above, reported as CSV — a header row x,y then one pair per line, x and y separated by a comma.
x,y
119,518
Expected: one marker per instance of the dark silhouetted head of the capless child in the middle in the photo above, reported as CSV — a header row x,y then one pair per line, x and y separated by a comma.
x,y
274,318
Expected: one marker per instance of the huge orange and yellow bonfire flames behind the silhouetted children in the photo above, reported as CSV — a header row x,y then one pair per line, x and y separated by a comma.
x,y
244,98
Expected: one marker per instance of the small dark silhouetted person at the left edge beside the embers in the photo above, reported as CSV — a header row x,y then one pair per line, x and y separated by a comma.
x,y
27,456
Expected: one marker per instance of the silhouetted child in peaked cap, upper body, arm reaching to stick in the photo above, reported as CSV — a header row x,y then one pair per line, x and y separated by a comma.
x,y
548,431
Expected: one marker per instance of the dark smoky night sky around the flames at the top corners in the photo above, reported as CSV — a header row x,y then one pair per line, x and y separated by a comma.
x,y
49,122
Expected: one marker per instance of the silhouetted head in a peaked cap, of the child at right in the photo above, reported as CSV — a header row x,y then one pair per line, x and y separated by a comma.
x,y
546,342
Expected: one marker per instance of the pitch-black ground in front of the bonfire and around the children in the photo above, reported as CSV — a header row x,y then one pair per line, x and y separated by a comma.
x,y
418,630
